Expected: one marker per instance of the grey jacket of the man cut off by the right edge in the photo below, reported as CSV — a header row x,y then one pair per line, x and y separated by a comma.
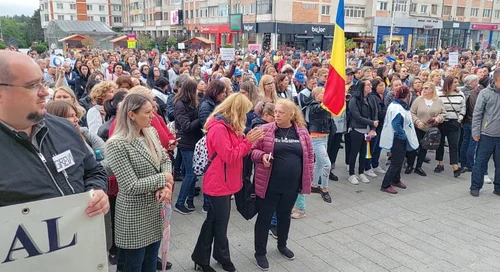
x,y
485,119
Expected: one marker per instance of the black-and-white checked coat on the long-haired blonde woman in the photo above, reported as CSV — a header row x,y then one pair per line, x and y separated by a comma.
x,y
138,221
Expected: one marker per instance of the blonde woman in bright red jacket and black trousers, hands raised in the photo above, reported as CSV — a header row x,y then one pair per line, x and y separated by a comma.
x,y
225,127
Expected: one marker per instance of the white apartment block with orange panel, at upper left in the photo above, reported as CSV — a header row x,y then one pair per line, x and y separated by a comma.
x,y
105,11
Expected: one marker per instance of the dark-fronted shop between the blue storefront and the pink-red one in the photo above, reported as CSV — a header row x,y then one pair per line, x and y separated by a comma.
x,y
455,34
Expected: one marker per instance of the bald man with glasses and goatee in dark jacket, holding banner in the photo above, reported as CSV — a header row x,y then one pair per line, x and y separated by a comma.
x,y
31,139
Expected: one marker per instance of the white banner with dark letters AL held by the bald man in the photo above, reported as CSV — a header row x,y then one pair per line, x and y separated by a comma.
x,y
53,235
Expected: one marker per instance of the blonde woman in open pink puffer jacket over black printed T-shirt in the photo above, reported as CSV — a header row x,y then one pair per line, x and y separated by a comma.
x,y
284,163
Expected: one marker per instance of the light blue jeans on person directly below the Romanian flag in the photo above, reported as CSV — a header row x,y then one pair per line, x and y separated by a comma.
x,y
322,163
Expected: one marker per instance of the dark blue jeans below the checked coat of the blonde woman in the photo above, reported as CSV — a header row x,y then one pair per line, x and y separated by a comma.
x,y
141,259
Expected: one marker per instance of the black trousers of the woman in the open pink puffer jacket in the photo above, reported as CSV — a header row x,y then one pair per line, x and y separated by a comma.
x,y
282,203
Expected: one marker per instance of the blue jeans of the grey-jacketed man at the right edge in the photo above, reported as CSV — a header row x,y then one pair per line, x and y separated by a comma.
x,y
486,147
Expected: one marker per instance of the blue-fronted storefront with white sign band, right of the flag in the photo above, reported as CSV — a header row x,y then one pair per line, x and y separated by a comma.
x,y
408,32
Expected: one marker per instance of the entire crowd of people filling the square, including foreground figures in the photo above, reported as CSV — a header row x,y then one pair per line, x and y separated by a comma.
x,y
134,125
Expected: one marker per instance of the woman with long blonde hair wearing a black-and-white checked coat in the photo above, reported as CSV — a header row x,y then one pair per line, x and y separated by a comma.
x,y
143,171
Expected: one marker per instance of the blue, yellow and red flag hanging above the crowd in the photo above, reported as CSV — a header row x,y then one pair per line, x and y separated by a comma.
x,y
334,99
